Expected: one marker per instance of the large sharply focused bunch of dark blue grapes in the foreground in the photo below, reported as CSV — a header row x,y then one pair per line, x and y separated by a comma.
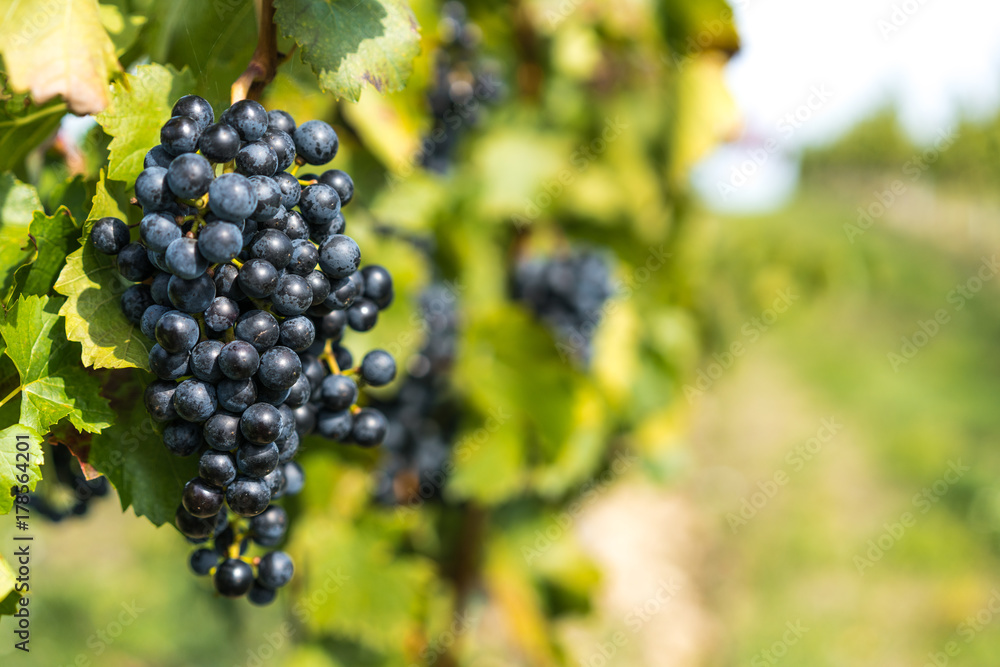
x,y
246,283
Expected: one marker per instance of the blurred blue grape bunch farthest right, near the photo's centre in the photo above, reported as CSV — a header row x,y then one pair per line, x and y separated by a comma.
x,y
567,294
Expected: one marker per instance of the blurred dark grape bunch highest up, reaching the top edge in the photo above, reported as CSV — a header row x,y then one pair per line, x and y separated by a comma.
x,y
462,81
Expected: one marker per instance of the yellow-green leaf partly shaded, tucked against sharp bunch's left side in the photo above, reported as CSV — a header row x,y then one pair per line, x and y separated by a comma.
x,y
93,287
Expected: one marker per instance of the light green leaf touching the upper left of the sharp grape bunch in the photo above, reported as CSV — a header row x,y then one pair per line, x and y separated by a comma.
x,y
139,106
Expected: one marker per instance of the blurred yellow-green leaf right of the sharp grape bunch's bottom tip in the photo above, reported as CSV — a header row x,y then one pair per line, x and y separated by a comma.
x,y
359,588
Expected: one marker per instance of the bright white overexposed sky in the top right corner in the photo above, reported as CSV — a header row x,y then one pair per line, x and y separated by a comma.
x,y
936,60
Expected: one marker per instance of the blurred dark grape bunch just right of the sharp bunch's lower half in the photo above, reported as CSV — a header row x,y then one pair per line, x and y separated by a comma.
x,y
423,415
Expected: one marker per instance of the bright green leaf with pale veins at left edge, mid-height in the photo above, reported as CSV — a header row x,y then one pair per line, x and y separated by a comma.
x,y
52,384
